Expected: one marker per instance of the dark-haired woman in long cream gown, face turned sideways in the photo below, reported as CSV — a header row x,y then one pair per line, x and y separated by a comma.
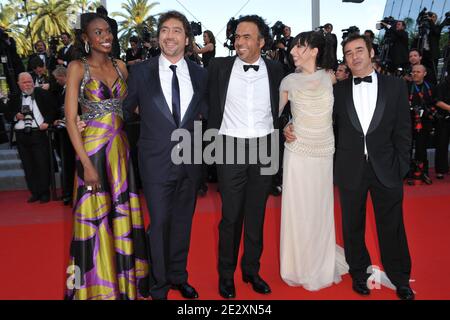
x,y
308,251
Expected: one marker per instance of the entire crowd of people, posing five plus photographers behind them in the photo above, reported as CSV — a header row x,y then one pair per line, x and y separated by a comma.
x,y
347,123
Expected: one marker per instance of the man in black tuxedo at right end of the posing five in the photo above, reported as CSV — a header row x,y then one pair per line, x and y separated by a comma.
x,y
372,154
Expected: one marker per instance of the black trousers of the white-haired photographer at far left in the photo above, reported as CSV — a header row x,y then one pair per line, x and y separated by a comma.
x,y
34,152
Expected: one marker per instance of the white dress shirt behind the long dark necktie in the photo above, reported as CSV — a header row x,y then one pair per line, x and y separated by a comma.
x,y
184,80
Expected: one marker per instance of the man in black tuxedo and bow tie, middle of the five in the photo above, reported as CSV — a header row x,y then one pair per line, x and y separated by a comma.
x,y
243,101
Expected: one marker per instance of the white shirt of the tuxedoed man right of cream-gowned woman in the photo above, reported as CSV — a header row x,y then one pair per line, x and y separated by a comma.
x,y
365,100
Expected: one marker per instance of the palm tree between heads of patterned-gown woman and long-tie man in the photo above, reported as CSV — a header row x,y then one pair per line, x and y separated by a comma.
x,y
136,19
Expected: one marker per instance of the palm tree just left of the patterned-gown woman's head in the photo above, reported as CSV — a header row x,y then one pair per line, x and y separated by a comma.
x,y
50,18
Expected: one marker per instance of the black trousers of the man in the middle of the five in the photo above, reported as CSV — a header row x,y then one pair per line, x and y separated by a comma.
x,y
244,192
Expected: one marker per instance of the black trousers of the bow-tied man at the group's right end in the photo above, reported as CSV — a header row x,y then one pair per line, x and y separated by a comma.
x,y
387,203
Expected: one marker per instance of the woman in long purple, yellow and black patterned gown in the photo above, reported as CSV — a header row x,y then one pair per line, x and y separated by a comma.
x,y
108,255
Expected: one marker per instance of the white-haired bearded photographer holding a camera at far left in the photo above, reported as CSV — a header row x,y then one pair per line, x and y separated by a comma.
x,y
31,111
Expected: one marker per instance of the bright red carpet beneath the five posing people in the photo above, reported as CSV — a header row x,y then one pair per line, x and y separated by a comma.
x,y
35,239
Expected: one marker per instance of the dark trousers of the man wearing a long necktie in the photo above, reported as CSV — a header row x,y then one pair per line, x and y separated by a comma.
x,y
171,208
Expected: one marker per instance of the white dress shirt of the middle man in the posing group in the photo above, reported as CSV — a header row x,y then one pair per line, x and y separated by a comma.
x,y
248,112
